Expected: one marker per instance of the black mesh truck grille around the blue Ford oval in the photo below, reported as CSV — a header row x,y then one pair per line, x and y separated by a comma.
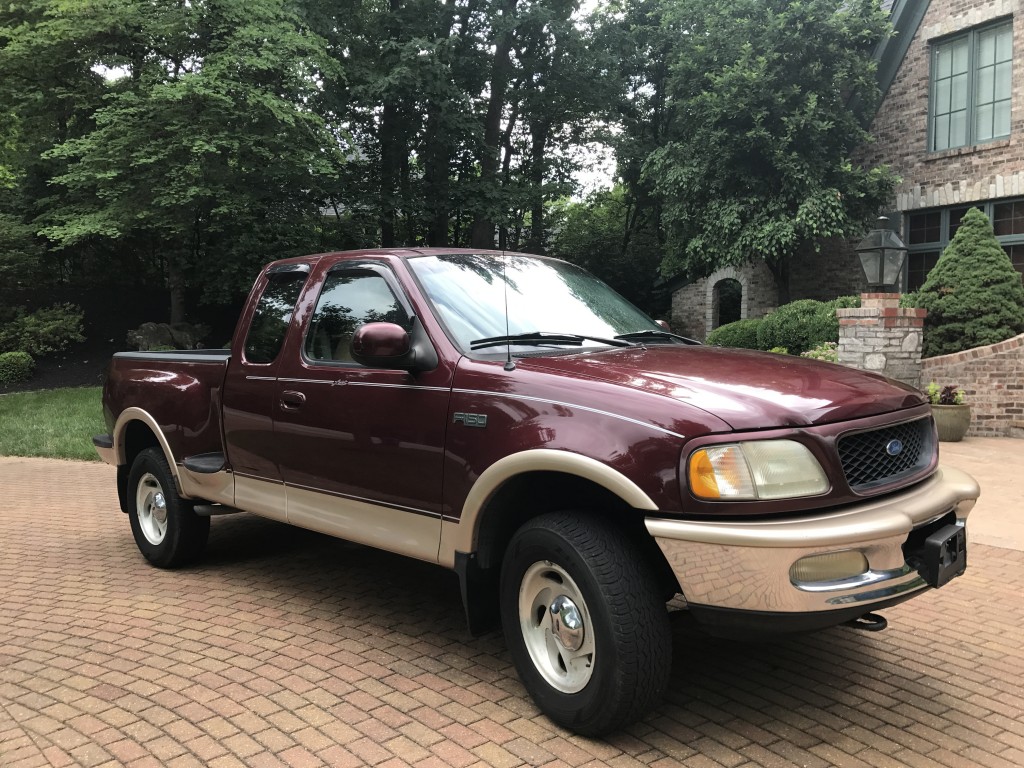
x,y
867,459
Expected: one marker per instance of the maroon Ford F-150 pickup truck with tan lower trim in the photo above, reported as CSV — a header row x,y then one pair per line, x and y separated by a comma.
x,y
514,419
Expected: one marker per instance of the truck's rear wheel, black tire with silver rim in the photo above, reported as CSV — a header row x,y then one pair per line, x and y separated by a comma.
x,y
167,530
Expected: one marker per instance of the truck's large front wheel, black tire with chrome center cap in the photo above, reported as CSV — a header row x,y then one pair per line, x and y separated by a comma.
x,y
617,669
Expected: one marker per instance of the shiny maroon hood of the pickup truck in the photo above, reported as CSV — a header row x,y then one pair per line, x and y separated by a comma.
x,y
747,390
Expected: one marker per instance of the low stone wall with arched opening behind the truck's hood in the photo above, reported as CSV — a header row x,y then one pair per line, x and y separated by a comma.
x,y
694,307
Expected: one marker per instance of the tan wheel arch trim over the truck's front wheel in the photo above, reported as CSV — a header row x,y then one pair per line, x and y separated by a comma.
x,y
462,536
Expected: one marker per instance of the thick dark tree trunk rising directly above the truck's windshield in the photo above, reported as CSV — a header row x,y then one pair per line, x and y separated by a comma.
x,y
483,235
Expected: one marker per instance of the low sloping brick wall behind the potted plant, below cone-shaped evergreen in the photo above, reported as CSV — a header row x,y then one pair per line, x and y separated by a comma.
x,y
994,380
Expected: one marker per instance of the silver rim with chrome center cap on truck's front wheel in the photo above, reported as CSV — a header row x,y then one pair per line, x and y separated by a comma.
x,y
557,627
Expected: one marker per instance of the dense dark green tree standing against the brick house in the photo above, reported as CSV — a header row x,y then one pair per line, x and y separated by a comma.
x,y
757,116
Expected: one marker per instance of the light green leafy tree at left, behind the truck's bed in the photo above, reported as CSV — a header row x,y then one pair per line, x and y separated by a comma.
x,y
207,151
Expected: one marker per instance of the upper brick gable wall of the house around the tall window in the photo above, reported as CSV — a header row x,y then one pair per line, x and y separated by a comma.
x,y
965,175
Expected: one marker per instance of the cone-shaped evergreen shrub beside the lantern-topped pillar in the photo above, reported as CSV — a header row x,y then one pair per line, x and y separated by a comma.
x,y
973,295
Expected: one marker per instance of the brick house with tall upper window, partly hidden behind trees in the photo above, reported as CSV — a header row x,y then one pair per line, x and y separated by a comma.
x,y
951,124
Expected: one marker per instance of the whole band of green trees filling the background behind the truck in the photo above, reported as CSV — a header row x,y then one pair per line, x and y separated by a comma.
x,y
180,145
